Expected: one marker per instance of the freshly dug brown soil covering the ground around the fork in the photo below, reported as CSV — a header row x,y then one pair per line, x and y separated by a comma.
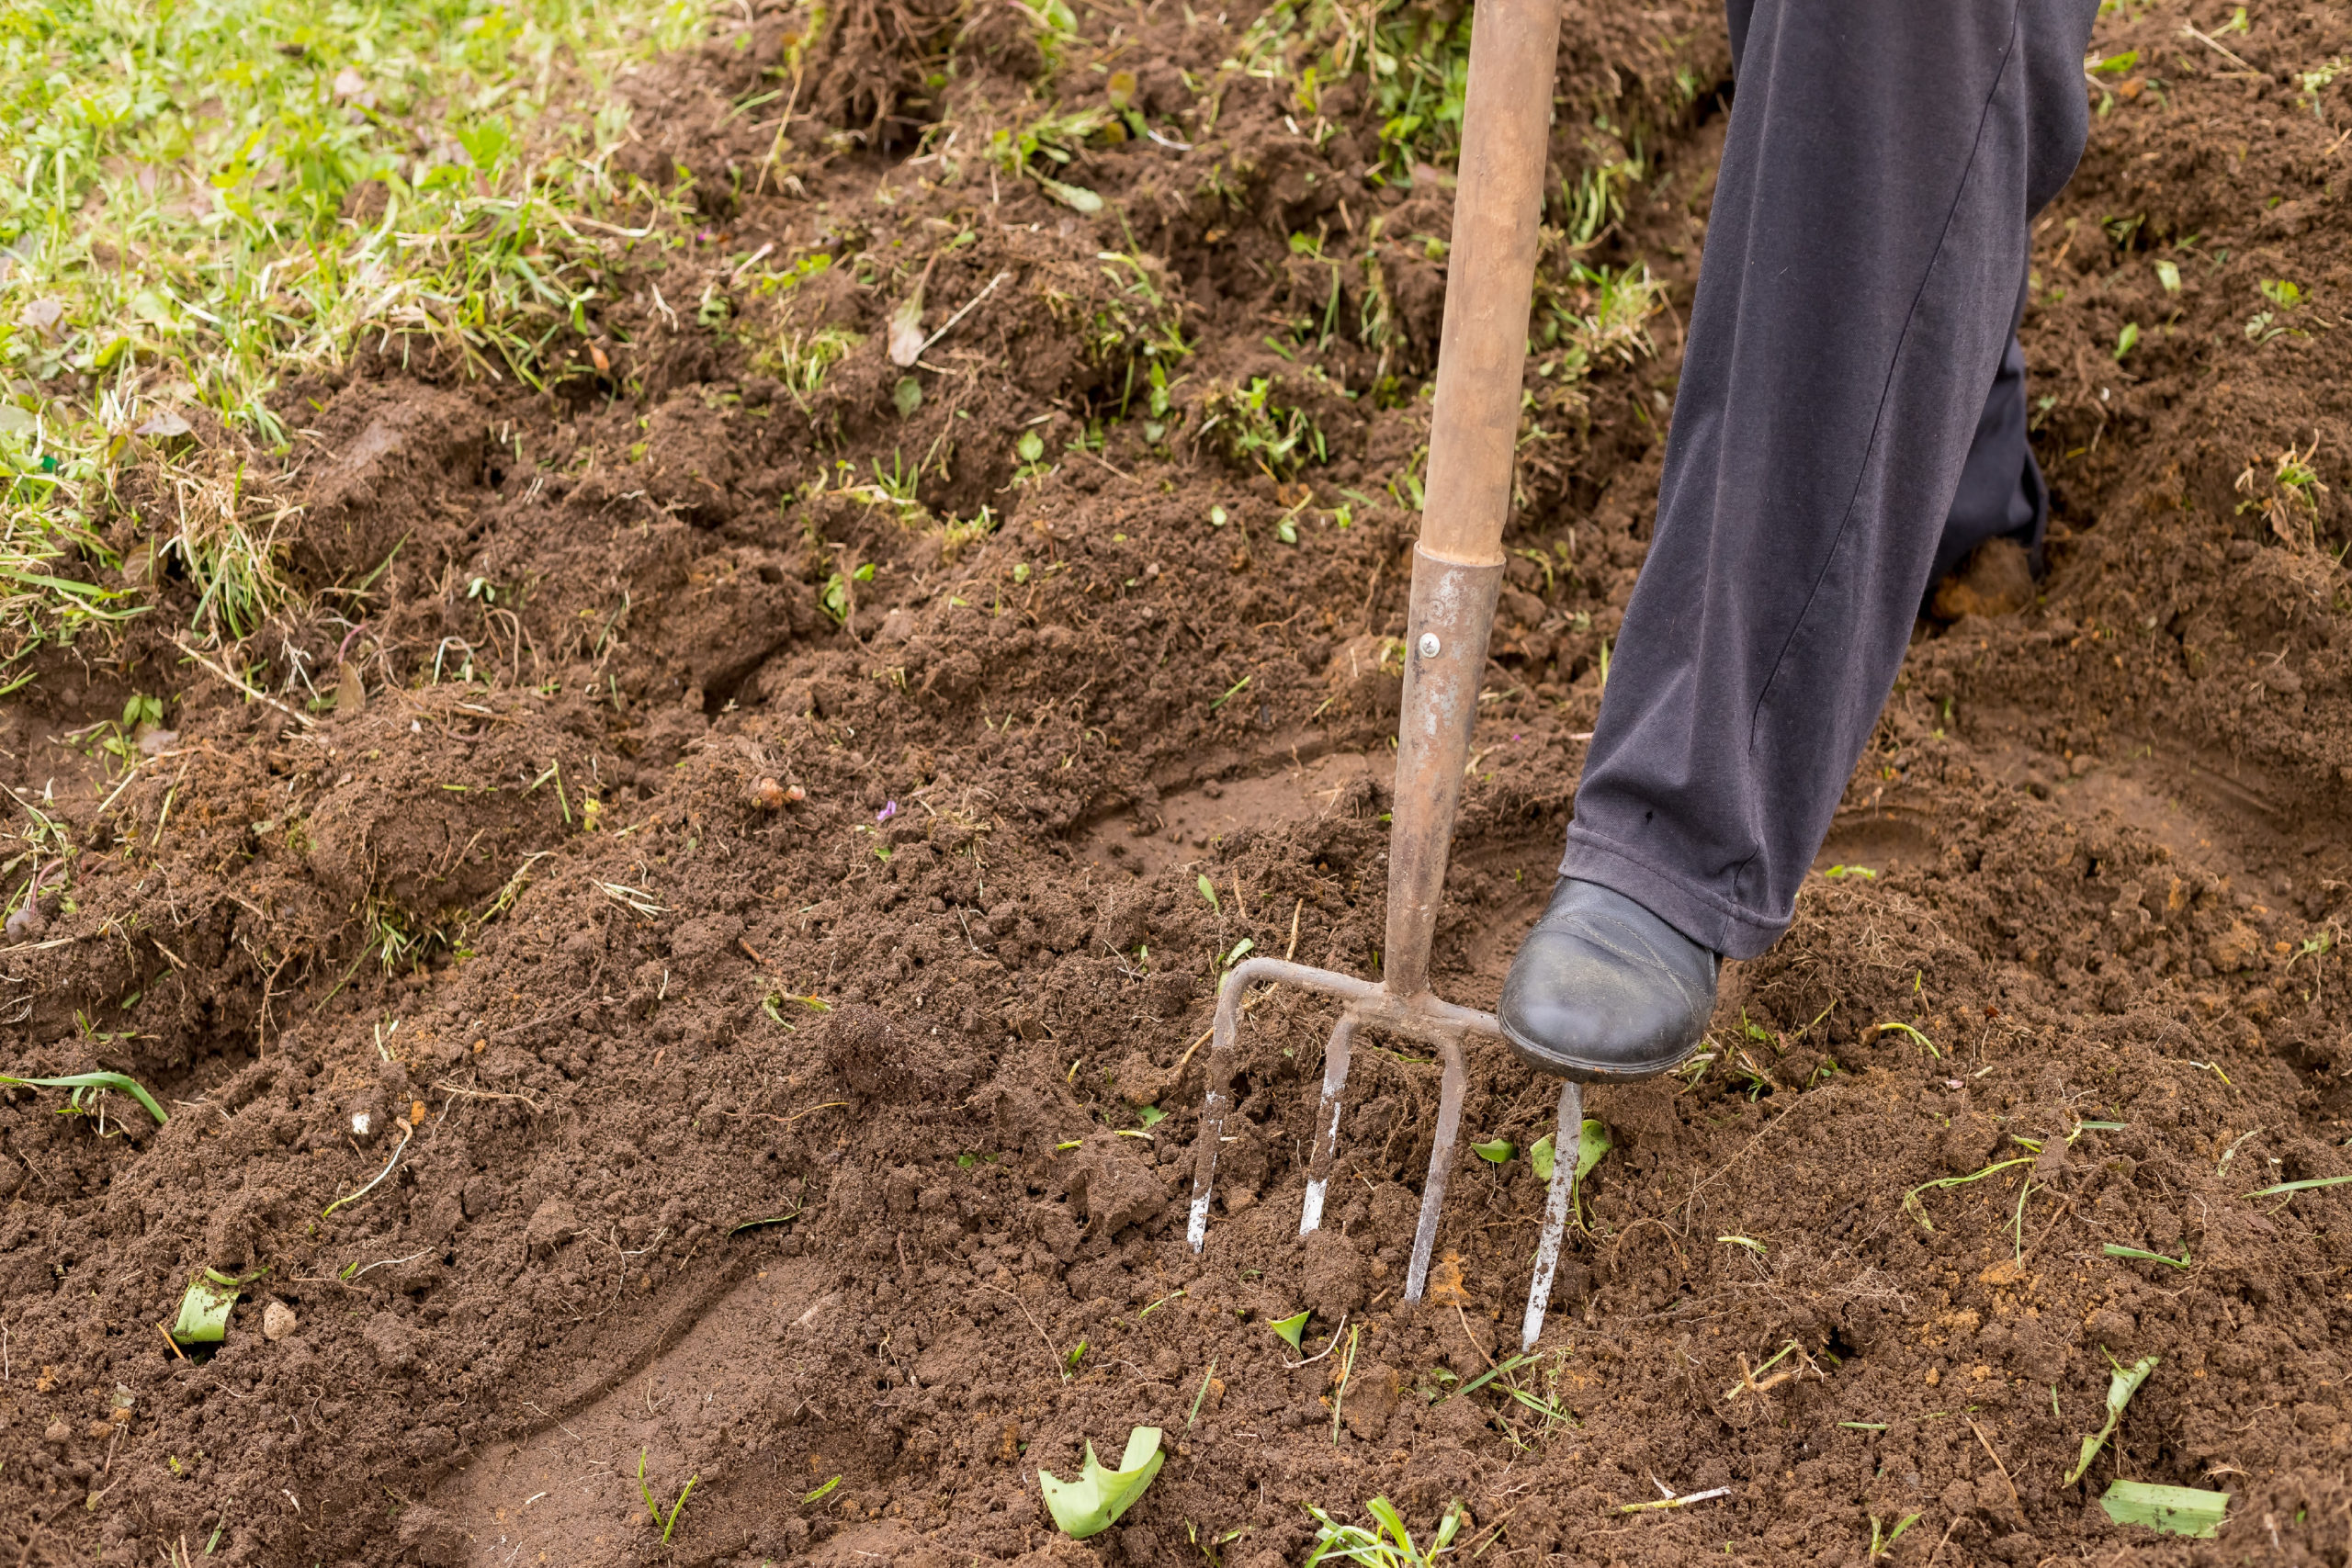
x,y
761,909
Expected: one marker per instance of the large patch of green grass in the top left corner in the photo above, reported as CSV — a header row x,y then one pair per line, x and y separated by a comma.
x,y
173,213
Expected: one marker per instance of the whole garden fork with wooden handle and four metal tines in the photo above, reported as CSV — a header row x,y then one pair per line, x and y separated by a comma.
x,y
1457,577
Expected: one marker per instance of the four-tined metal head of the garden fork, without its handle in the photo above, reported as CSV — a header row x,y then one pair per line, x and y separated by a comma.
x,y
1422,1019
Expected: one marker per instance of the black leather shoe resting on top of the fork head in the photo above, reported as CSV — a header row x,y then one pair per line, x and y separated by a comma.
x,y
1605,991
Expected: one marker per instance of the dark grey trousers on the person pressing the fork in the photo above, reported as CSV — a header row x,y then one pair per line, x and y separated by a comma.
x,y
1850,422
